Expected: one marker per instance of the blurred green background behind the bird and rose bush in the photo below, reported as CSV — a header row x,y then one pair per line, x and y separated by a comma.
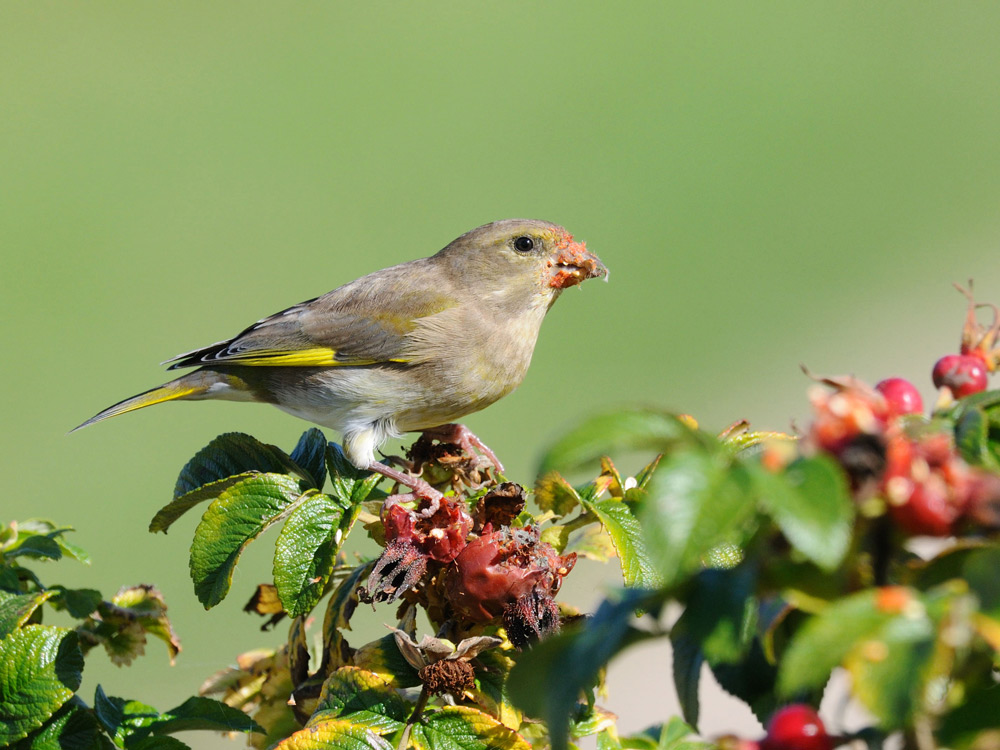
x,y
770,184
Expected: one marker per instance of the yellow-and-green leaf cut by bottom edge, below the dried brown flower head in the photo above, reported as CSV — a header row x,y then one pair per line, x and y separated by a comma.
x,y
464,728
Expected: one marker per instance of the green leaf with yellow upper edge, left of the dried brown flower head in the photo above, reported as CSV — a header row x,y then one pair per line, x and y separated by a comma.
x,y
364,697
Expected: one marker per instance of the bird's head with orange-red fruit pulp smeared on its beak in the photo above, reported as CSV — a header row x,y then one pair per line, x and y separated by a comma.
x,y
521,261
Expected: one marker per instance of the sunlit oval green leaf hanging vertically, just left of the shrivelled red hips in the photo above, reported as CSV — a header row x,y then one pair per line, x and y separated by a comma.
x,y
306,551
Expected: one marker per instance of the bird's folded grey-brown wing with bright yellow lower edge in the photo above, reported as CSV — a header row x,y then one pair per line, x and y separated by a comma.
x,y
362,323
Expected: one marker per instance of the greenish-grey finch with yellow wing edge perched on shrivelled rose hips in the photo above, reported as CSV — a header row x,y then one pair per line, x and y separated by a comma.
x,y
411,348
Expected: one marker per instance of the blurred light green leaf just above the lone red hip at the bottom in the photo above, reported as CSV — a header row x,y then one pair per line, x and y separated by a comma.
x,y
825,640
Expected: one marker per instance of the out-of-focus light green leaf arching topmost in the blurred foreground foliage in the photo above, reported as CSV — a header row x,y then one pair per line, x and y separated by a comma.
x,y
624,430
